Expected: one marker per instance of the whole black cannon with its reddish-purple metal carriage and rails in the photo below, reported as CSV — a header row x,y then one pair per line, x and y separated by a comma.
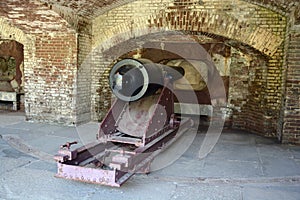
x,y
140,124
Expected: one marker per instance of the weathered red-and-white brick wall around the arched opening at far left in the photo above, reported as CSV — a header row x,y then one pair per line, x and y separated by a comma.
x,y
50,59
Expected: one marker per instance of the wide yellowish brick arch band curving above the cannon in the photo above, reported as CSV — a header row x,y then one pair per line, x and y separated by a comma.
x,y
197,21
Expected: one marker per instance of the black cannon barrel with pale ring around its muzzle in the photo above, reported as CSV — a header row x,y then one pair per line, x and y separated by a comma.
x,y
131,79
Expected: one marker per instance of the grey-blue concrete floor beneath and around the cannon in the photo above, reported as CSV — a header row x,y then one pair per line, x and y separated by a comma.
x,y
240,166
